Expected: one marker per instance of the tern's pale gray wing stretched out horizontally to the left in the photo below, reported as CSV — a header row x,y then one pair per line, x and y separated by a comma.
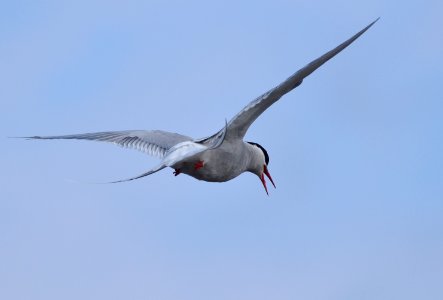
x,y
152,142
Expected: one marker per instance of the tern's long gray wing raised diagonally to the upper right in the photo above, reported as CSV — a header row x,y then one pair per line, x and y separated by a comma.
x,y
238,126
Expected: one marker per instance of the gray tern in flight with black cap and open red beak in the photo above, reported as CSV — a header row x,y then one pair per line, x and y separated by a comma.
x,y
221,156
